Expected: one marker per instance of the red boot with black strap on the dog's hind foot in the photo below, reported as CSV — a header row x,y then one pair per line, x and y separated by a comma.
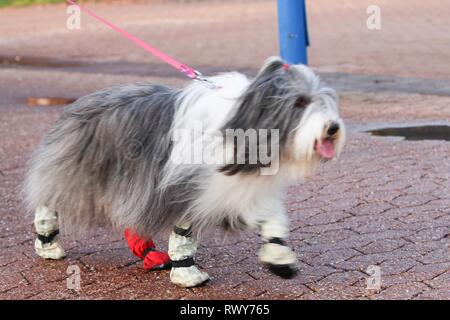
x,y
153,259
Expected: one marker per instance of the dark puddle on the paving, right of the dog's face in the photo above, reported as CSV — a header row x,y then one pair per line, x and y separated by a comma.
x,y
428,132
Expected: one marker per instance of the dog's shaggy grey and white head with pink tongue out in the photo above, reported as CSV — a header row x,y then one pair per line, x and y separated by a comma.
x,y
292,100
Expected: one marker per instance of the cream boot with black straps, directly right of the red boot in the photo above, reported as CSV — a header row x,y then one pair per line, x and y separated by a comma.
x,y
182,247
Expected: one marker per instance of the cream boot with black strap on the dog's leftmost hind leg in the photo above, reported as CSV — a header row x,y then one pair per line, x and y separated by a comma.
x,y
46,224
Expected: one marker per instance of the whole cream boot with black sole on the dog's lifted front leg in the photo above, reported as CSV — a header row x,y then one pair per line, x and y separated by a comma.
x,y
280,259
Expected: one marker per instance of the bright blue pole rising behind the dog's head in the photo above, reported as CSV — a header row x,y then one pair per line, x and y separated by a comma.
x,y
293,31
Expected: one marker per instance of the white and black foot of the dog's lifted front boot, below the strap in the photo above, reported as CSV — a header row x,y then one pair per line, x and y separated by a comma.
x,y
280,260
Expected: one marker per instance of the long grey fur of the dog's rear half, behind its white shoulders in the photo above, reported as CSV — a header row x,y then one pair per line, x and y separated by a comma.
x,y
102,162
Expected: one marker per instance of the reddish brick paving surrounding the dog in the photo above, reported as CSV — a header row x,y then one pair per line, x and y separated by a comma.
x,y
385,202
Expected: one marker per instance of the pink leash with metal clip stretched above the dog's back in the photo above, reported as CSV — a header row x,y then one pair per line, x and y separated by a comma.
x,y
188,71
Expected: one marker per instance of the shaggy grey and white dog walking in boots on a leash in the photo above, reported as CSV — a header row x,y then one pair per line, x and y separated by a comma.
x,y
115,158
